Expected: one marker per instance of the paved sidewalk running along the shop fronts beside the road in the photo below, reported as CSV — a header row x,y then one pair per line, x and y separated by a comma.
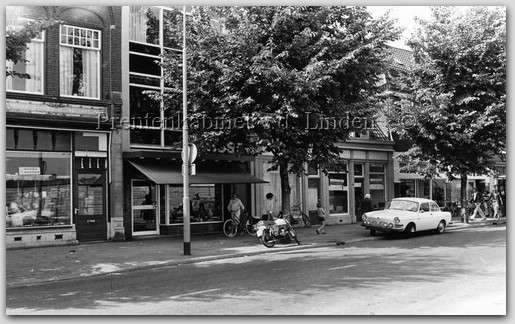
x,y
32,266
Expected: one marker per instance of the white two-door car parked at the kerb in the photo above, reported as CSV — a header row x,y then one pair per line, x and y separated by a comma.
x,y
407,215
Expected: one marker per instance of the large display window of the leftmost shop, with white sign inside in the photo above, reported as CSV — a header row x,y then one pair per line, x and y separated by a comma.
x,y
37,189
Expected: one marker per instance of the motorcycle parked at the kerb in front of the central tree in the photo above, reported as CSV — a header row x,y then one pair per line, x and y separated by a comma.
x,y
278,230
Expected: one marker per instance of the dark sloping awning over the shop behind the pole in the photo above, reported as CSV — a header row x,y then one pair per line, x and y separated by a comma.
x,y
165,172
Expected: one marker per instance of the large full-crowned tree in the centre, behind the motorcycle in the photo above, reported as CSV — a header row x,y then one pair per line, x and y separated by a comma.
x,y
280,80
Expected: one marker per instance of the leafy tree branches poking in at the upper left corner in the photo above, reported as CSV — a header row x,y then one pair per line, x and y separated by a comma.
x,y
19,33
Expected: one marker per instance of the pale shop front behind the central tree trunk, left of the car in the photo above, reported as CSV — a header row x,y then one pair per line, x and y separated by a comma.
x,y
368,170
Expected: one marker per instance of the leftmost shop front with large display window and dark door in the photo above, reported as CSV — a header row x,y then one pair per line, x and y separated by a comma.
x,y
55,186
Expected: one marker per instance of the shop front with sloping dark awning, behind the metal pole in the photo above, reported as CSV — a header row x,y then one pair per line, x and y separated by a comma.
x,y
156,198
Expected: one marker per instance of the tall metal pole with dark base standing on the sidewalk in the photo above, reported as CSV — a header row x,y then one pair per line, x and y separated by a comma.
x,y
185,152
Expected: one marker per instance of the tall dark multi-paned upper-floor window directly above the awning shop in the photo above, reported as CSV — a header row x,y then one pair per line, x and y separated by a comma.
x,y
154,32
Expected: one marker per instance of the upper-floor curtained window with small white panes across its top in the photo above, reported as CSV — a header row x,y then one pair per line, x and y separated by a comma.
x,y
79,62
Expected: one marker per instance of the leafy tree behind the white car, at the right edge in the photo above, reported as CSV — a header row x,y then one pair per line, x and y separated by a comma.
x,y
457,91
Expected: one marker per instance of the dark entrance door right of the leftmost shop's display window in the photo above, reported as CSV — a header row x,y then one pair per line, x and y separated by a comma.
x,y
90,211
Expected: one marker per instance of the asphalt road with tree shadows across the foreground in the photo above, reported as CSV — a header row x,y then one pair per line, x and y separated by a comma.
x,y
457,273
